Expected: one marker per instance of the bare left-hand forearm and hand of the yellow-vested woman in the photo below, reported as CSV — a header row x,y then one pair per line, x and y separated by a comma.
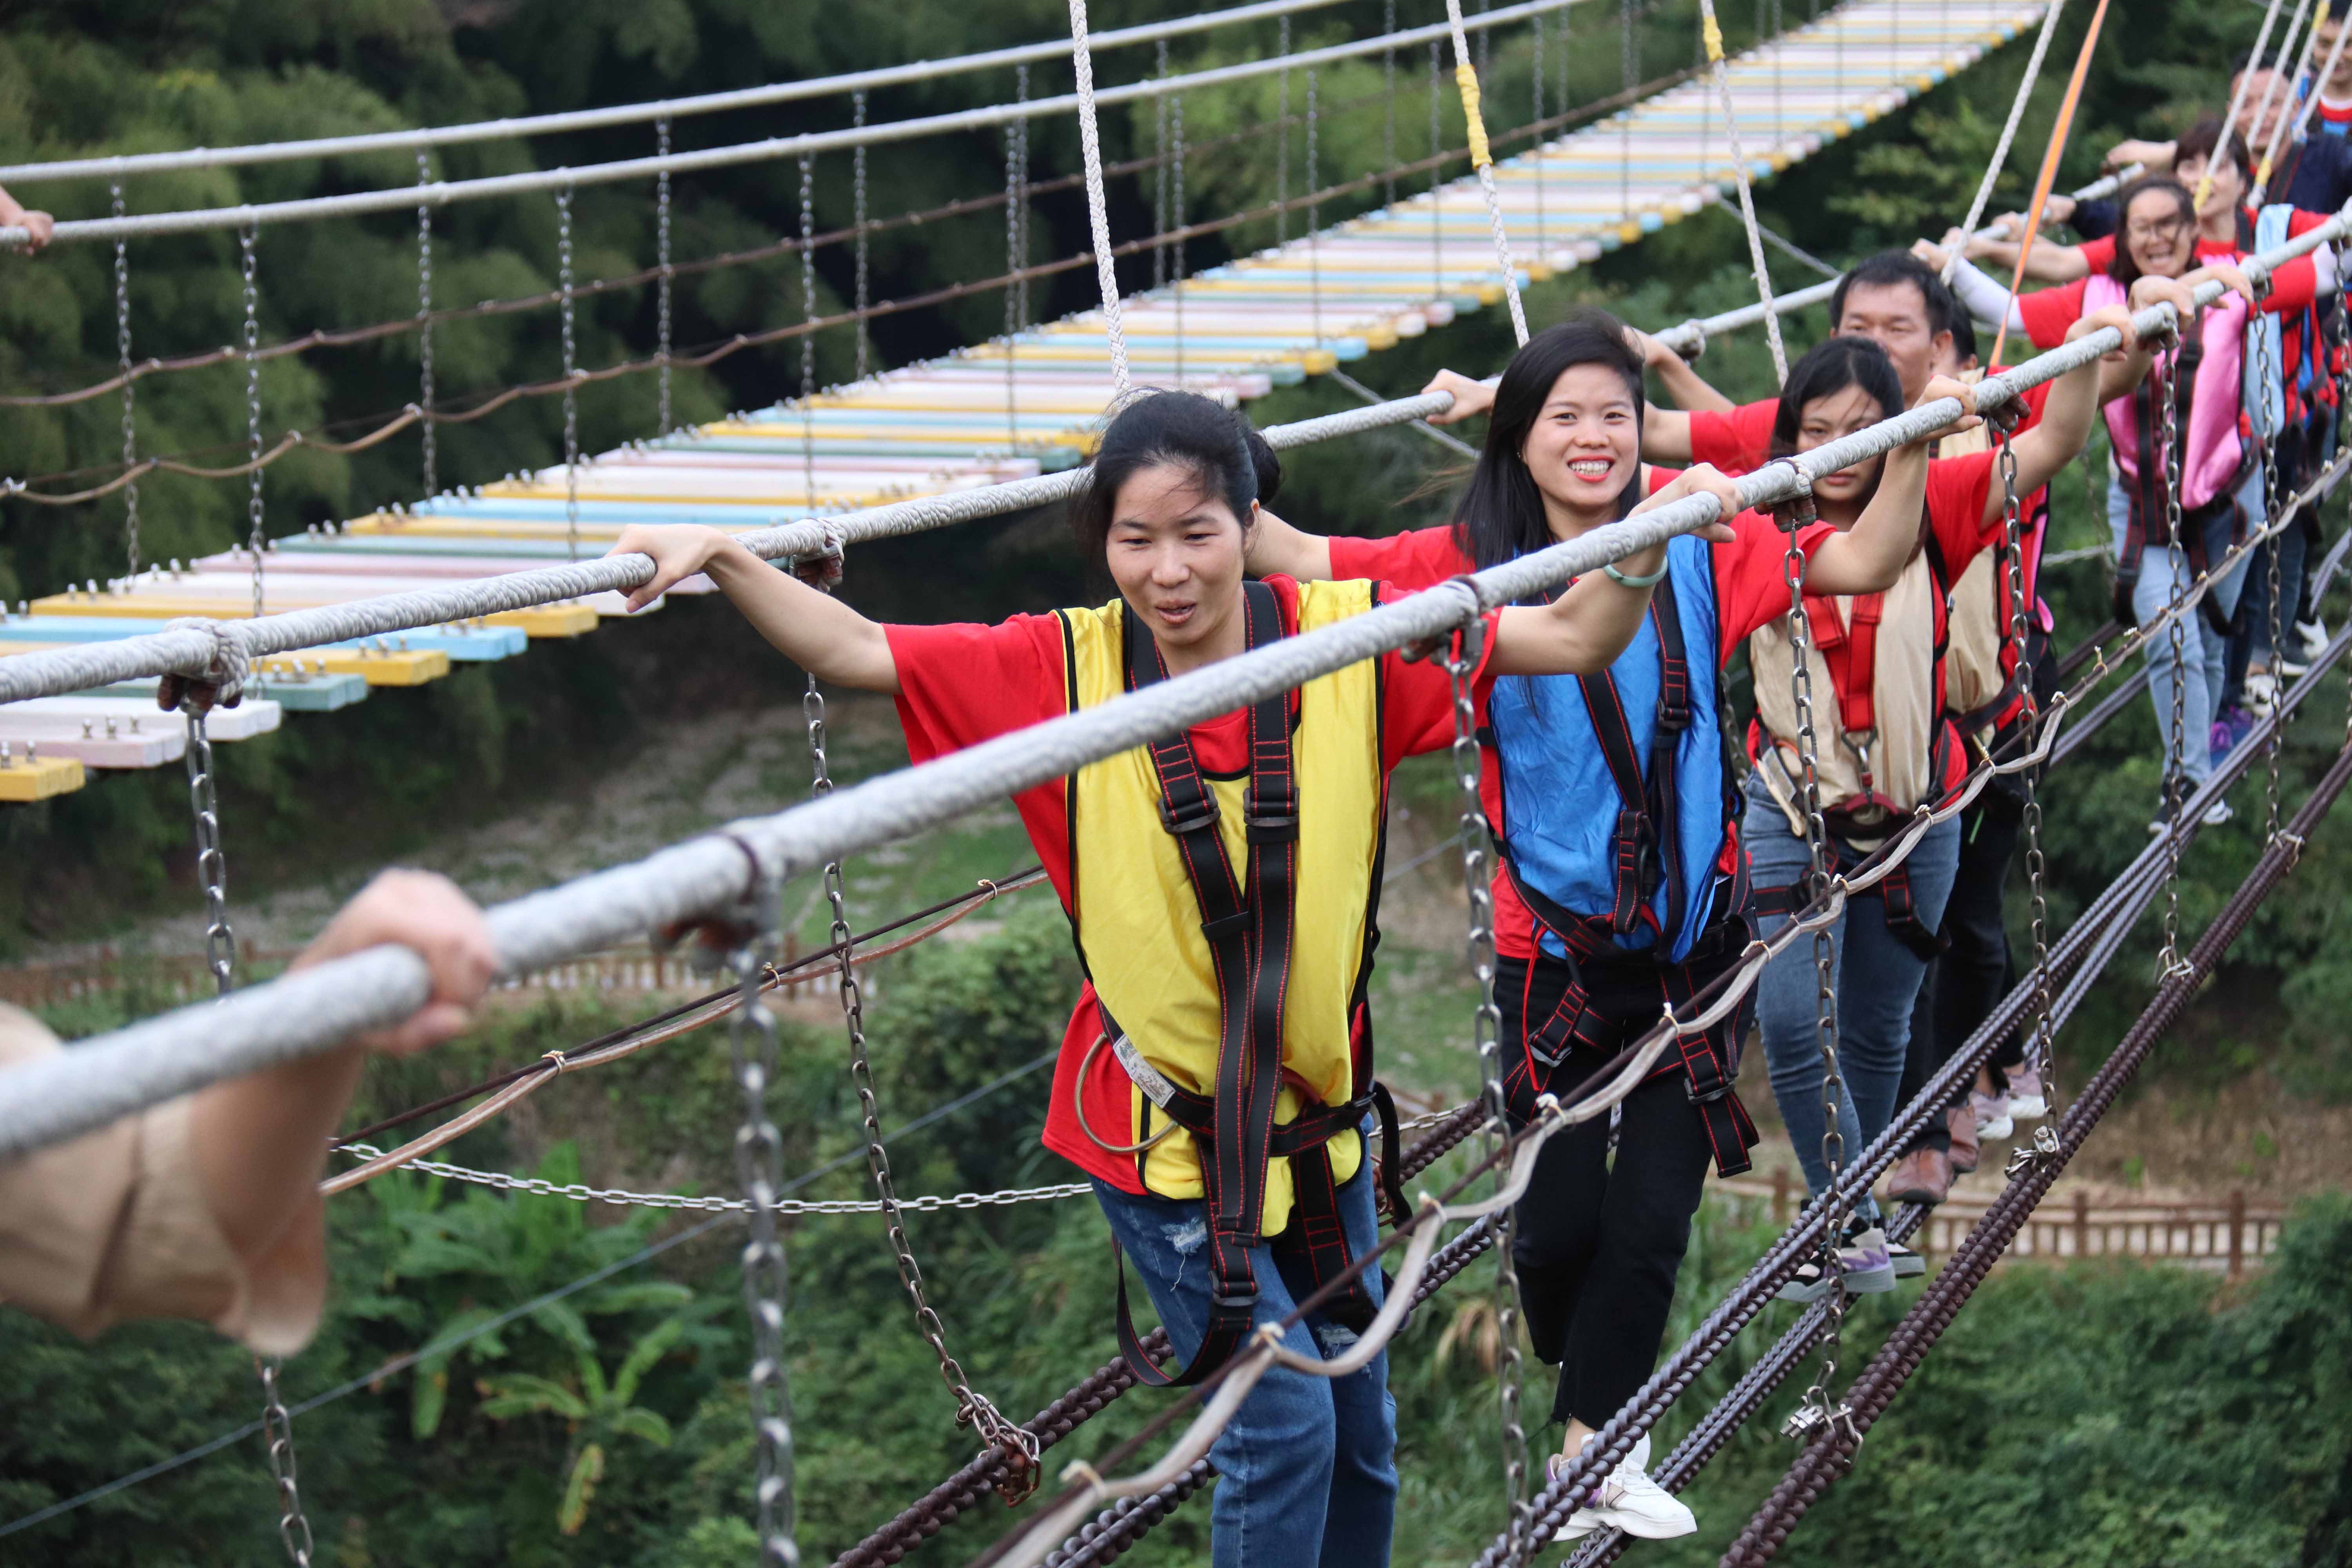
x,y
813,629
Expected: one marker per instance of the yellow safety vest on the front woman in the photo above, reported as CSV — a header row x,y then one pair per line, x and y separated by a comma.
x,y
1140,923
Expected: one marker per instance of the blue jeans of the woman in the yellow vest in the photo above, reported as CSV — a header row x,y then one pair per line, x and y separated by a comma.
x,y
1309,1466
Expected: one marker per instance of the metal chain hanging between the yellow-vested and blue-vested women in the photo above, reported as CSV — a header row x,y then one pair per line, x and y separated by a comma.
x,y
1462,662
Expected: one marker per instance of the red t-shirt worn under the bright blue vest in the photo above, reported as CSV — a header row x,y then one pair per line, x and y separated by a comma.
x,y
1749,594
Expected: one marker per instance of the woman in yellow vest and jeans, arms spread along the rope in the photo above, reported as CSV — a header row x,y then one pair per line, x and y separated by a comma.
x,y
1217,1073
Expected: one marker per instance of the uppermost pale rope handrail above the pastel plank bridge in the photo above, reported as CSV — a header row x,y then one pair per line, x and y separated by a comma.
x,y
634,114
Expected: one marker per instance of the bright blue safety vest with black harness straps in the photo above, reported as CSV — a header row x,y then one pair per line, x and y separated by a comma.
x,y
1598,840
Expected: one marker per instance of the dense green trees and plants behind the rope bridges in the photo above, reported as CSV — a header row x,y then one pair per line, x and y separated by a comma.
x,y
2085,1416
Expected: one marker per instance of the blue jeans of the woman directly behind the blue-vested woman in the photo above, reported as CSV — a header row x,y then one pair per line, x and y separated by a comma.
x,y
1878,981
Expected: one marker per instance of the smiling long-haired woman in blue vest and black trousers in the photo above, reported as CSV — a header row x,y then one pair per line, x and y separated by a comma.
x,y
1622,871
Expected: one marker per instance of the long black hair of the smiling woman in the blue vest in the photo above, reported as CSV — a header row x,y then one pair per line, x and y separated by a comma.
x,y
1502,514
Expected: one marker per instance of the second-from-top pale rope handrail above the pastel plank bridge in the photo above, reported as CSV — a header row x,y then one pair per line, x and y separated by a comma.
x,y
443,194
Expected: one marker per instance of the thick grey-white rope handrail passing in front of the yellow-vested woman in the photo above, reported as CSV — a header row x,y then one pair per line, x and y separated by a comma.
x,y
305,1012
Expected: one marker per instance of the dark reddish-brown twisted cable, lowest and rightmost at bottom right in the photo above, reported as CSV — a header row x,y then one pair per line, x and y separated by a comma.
x,y
1833,1452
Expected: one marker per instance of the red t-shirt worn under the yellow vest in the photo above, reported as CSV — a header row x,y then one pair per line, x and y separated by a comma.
x,y
961,685
